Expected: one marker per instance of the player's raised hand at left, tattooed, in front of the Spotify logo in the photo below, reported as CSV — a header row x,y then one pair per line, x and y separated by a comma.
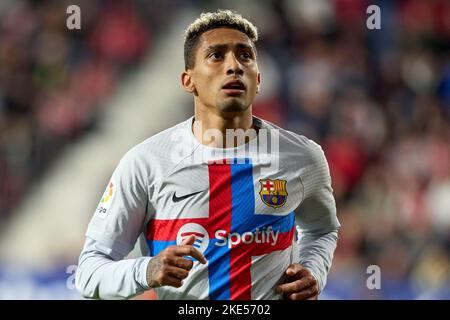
x,y
169,268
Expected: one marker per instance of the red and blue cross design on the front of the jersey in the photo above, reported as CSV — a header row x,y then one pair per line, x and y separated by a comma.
x,y
231,208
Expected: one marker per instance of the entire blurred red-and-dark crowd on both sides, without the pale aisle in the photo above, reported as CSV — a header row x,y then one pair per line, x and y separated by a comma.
x,y
378,101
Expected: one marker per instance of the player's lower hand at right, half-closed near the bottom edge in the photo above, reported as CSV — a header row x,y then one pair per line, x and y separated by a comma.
x,y
300,284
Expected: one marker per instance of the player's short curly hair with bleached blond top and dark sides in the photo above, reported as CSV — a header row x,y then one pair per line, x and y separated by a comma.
x,y
213,20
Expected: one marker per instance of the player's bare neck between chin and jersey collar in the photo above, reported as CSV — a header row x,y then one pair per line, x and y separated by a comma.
x,y
219,131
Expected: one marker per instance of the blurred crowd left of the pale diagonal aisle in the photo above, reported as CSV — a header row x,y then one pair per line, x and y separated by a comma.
x,y
55,81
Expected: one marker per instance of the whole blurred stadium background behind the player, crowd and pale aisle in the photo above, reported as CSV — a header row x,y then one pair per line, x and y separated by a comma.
x,y
73,101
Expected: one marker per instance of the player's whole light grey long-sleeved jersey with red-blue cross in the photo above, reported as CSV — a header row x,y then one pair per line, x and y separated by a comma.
x,y
268,205
